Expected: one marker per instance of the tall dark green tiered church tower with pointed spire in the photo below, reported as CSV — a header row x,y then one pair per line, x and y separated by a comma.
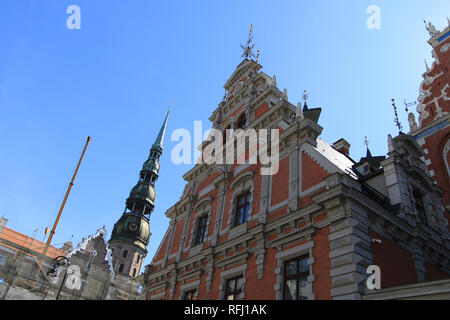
x,y
131,234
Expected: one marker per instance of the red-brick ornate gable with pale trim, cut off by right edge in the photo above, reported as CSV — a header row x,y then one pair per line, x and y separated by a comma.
x,y
433,133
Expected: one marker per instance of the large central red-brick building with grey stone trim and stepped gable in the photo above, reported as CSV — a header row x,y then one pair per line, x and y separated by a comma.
x,y
309,231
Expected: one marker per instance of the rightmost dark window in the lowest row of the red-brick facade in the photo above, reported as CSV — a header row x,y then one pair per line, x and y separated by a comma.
x,y
296,273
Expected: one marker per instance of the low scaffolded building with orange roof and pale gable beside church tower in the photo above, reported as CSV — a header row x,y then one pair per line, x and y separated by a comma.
x,y
89,275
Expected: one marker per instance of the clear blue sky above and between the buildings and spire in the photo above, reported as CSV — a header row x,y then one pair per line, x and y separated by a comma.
x,y
115,77
